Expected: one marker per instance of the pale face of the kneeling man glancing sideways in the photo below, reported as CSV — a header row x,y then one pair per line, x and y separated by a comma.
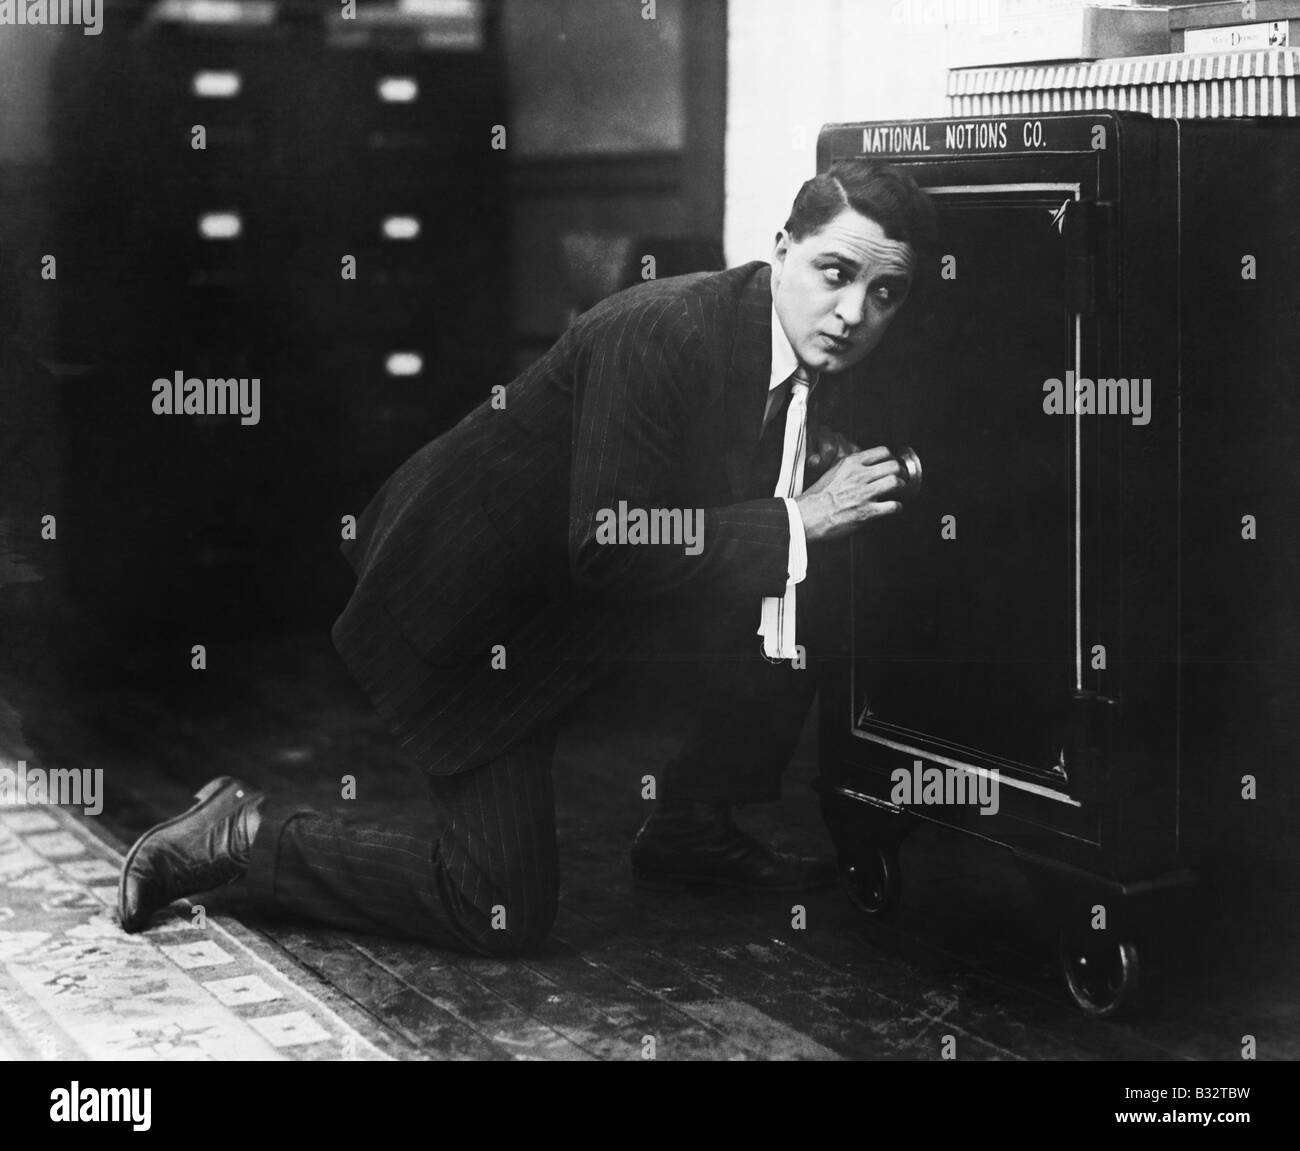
x,y
838,291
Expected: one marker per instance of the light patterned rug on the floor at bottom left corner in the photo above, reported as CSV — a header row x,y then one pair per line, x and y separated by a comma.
x,y
73,985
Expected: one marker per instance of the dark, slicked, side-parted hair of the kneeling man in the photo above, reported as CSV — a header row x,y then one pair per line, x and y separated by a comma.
x,y
878,192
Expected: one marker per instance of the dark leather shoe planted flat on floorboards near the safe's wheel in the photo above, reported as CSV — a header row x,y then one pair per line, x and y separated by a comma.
x,y
699,846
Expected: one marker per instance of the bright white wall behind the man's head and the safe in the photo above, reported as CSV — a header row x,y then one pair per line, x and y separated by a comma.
x,y
795,66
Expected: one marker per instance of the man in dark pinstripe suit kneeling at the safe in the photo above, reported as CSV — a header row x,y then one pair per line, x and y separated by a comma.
x,y
492,592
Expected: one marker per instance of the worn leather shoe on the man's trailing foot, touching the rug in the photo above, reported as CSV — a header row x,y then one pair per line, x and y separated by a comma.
x,y
200,850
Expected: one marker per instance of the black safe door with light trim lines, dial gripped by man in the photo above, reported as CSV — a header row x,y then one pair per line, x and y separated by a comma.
x,y
972,613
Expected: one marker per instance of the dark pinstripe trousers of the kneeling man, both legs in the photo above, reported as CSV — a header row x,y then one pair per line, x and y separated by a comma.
x,y
484,877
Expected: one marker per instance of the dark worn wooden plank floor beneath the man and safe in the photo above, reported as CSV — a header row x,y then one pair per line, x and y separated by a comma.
x,y
703,977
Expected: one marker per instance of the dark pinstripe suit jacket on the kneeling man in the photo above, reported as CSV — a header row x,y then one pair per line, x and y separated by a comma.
x,y
488,535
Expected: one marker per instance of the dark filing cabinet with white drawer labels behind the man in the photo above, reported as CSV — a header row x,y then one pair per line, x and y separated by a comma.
x,y
228,262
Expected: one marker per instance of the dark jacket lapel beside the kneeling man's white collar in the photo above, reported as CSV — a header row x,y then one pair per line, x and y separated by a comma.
x,y
749,375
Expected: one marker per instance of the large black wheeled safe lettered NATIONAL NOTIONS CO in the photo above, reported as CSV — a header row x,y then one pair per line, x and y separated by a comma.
x,y
1093,602
